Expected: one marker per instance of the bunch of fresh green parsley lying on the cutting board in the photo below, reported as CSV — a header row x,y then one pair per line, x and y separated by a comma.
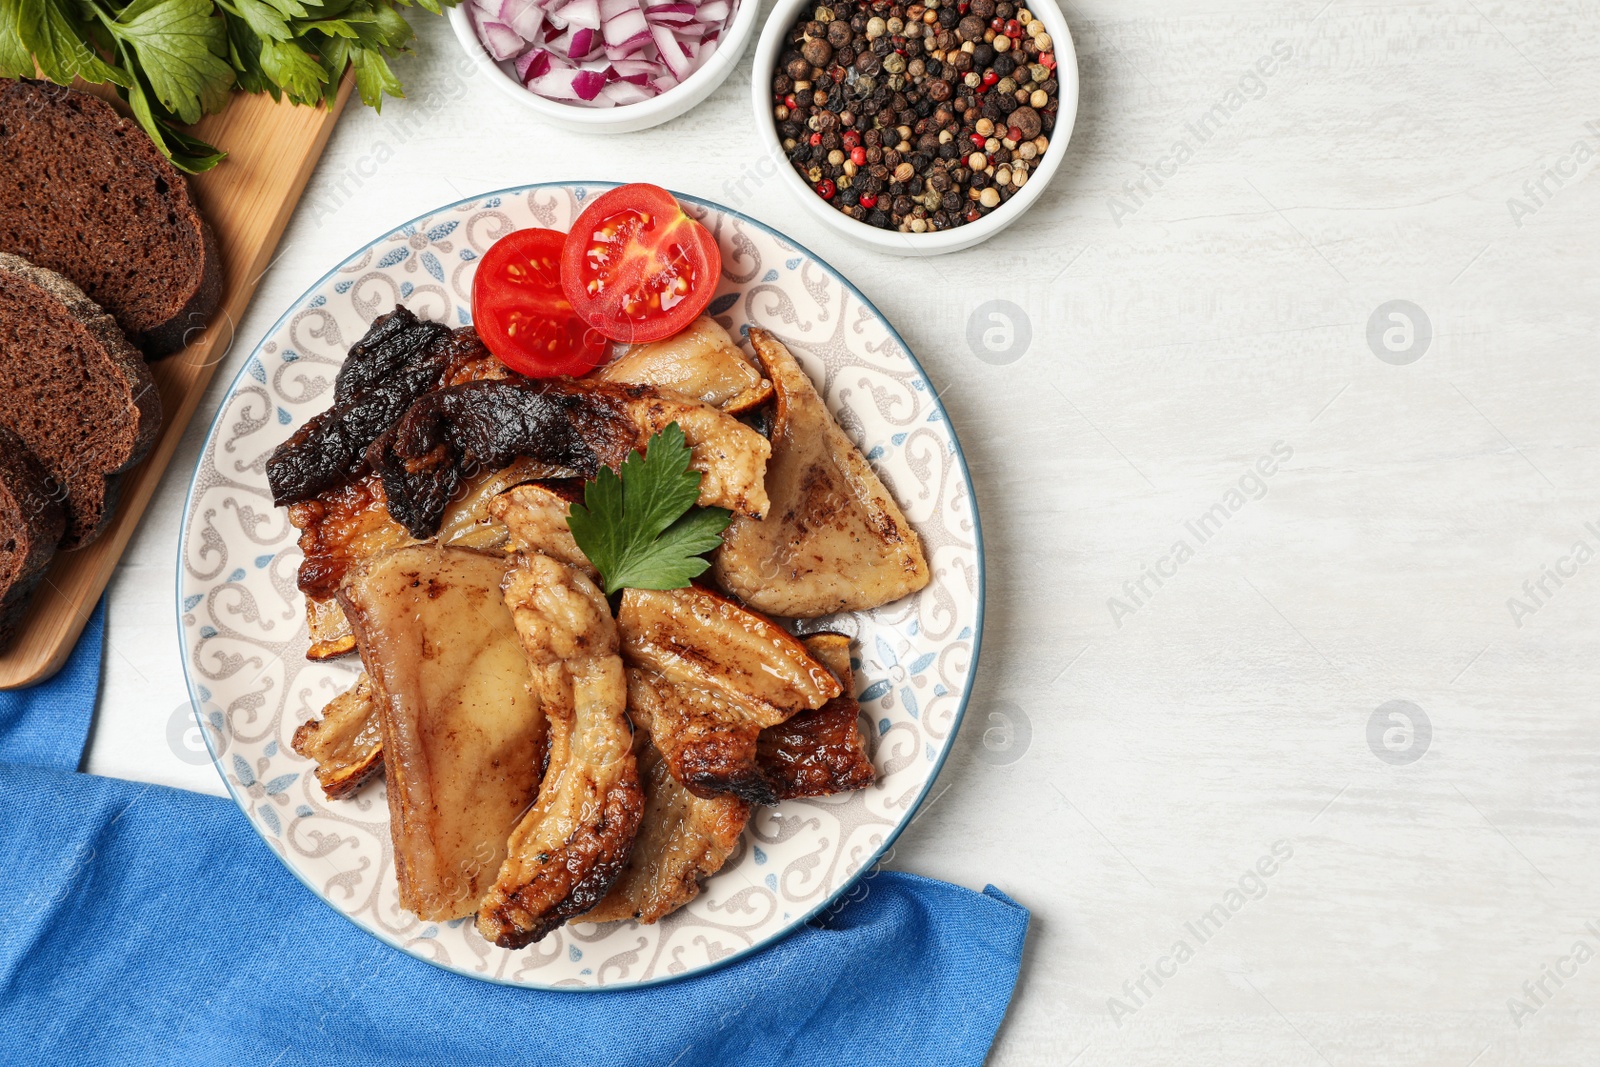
x,y
178,60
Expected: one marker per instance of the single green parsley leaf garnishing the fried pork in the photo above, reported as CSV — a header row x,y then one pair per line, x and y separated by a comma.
x,y
642,530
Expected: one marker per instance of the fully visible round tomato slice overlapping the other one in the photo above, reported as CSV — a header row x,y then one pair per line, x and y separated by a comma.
x,y
638,268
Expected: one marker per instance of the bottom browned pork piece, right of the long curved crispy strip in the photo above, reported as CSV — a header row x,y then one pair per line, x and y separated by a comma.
x,y
682,841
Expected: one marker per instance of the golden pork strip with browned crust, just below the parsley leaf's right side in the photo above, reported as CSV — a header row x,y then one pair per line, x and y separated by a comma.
x,y
706,677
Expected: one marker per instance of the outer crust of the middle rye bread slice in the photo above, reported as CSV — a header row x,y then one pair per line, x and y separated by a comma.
x,y
142,399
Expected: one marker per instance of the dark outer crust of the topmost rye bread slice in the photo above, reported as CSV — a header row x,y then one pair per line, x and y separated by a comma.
x,y
194,298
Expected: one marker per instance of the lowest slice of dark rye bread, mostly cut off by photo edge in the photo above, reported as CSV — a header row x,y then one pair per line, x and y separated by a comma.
x,y
33,521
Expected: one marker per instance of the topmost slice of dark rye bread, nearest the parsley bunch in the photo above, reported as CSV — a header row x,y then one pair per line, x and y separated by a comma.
x,y
87,194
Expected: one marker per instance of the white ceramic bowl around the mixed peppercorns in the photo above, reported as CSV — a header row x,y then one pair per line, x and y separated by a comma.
x,y
894,242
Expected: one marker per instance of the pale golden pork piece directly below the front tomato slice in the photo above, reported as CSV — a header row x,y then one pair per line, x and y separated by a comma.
x,y
700,362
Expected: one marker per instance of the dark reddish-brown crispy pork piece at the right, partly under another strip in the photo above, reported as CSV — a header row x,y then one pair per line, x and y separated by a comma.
x,y
822,753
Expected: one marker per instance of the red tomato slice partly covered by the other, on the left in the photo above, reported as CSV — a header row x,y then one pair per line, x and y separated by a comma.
x,y
522,314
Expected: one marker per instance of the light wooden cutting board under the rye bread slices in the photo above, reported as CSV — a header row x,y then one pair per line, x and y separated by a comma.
x,y
247,199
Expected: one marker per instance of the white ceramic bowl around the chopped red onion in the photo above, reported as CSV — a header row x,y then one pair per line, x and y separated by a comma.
x,y
730,49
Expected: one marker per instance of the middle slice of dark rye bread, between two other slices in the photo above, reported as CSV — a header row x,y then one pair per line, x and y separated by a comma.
x,y
74,390
